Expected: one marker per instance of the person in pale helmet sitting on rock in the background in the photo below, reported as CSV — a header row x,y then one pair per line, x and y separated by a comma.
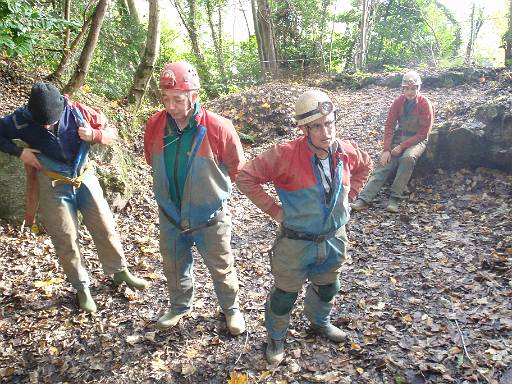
x,y
406,132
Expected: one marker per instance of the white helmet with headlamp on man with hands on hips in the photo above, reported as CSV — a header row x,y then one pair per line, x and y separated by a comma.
x,y
312,105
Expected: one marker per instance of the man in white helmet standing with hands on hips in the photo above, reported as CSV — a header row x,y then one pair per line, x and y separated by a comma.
x,y
314,176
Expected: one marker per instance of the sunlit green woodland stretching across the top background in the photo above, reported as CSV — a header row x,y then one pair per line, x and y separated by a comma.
x,y
283,38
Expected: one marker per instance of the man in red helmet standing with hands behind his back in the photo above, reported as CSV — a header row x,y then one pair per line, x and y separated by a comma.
x,y
195,155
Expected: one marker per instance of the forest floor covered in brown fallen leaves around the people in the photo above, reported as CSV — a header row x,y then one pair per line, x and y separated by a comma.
x,y
425,297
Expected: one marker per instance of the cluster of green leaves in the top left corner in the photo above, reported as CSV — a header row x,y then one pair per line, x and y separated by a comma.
x,y
25,24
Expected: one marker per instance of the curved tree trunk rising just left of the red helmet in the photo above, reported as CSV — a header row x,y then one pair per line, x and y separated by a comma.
x,y
145,68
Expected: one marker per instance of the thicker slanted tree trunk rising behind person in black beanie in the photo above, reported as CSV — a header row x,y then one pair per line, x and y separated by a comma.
x,y
78,77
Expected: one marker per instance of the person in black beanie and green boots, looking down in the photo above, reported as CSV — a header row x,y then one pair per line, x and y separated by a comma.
x,y
59,132
